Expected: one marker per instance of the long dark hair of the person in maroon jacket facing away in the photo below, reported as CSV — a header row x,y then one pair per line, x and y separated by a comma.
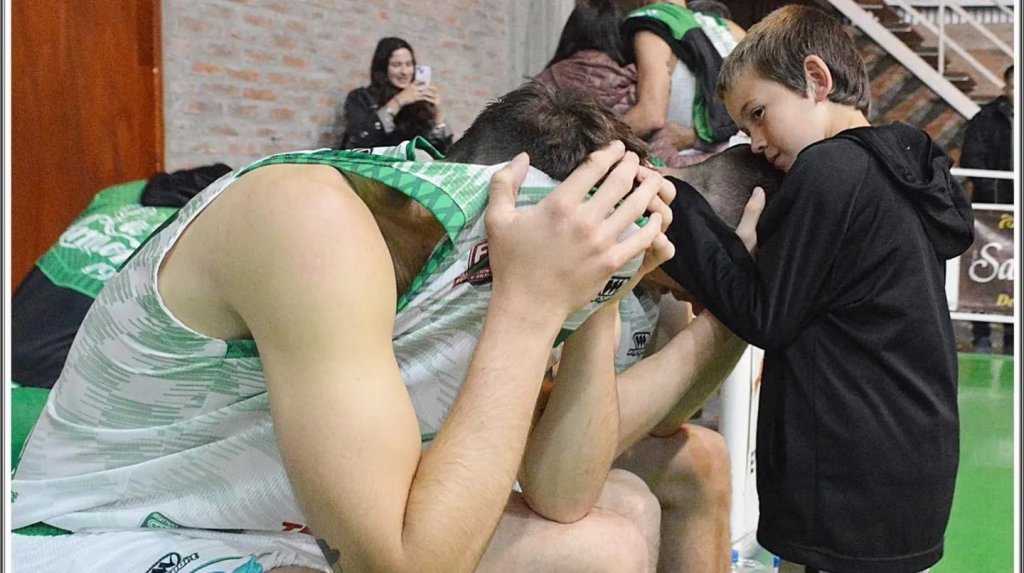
x,y
594,25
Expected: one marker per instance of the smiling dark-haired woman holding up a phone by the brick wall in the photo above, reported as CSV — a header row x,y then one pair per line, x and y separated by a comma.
x,y
398,105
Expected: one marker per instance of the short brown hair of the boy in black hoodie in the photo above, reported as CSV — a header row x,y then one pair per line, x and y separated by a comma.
x,y
777,47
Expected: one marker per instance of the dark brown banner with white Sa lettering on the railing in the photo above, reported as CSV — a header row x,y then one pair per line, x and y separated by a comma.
x,y
989,268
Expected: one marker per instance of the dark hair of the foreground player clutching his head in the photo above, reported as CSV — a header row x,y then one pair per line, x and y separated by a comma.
x,y
559,129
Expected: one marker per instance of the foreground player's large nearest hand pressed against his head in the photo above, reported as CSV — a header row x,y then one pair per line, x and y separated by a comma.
x,y
559,255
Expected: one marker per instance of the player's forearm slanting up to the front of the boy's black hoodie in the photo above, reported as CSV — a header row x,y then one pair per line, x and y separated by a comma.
x,y
699,358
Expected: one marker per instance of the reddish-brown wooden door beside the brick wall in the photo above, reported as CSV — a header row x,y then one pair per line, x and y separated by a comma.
x,y
87,111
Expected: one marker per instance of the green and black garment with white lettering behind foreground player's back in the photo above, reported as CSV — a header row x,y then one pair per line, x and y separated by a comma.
x,y
50,304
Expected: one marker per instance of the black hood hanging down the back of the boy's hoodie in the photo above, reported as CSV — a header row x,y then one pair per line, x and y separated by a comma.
x,y
922,171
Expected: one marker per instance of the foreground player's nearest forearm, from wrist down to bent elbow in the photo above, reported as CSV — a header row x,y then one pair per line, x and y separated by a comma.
x,y
463,481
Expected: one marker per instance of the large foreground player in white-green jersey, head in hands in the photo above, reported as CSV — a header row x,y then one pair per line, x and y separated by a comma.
x,y
308,262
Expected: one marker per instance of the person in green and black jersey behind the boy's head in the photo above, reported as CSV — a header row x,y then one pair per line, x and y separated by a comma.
x,y
679,96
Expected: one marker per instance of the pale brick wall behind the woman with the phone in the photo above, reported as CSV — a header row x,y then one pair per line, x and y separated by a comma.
x,y
247,78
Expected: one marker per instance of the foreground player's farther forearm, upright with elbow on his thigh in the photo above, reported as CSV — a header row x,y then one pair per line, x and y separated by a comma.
x,y
572,449
